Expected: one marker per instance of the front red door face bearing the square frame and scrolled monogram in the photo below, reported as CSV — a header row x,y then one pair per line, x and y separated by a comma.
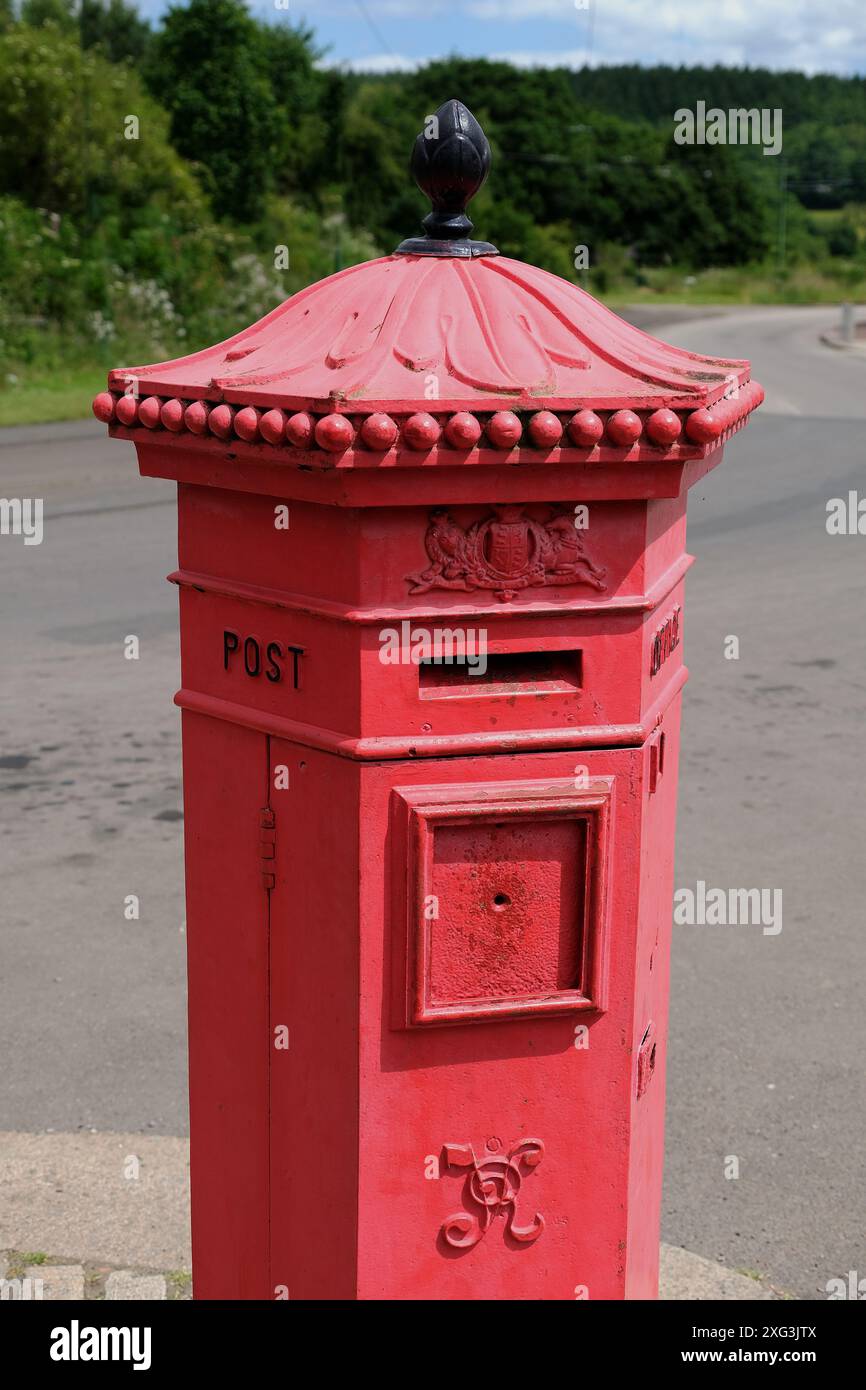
x,y
498,981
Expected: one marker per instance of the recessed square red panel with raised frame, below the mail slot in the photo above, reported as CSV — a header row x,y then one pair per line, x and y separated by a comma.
x,y
504,899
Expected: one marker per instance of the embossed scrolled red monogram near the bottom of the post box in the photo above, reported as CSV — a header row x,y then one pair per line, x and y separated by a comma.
x,y
493,1188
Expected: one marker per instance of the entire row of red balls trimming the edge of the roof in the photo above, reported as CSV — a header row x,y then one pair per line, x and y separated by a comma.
x,y
422,432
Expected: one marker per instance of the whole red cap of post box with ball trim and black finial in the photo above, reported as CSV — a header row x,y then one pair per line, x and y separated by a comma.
x,y
389,355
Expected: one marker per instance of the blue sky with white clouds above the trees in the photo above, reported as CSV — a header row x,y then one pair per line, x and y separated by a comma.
x,y
377,35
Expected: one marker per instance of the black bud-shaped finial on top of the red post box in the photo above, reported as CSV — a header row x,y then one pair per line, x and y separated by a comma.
x,y
450,162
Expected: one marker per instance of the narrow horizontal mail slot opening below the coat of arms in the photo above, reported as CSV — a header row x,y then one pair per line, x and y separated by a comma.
x,y
500,673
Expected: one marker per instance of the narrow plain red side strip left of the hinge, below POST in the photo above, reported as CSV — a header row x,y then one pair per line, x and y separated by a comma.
x,y
227,936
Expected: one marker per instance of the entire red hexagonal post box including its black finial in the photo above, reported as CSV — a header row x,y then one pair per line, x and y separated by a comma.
x,y
430,903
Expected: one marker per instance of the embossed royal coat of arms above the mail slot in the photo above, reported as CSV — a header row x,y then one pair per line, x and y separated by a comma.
x,y
507,553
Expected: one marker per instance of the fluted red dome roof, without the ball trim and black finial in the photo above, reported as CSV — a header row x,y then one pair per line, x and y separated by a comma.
x,y
420,333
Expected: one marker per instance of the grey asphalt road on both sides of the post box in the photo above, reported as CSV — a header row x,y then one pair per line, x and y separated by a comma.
x,y
768,1032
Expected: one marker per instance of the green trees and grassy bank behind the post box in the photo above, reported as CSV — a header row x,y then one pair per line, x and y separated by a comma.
x,y
163,187
